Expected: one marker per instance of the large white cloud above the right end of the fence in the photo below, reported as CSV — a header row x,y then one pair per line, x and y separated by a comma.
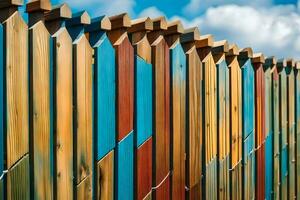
x,y
274,30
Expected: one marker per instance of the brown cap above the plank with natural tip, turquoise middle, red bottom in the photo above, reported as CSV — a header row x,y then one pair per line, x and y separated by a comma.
x,y
140,25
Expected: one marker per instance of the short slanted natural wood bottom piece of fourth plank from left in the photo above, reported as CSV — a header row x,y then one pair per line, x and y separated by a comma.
x,y
84,189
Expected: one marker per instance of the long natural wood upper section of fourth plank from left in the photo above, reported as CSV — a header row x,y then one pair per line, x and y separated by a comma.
x,y
83,101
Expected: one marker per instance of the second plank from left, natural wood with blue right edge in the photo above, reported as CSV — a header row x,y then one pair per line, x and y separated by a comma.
x,y
41,111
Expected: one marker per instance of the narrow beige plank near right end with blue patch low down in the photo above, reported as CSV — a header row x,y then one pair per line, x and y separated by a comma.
x,y
283,132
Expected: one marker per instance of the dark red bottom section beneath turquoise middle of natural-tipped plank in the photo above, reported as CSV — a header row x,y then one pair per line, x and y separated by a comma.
x,y
144,170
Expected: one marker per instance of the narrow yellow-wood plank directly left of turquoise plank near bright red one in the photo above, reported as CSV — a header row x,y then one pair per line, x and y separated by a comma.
x,y
236,127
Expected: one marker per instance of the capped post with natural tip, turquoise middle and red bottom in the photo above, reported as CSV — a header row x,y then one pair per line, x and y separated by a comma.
x,y
142,106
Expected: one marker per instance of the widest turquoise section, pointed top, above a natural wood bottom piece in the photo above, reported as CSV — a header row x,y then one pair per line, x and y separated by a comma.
x,y
104,94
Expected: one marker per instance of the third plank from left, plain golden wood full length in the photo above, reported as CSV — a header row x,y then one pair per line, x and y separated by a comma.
x,y
63,116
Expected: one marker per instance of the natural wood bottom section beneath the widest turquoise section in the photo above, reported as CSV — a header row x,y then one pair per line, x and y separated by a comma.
x,y
105,177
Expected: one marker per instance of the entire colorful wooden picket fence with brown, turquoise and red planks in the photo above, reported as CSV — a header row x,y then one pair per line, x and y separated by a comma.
x,y
114,108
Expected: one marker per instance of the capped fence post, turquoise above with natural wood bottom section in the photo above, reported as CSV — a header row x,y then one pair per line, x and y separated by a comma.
x,y
104,107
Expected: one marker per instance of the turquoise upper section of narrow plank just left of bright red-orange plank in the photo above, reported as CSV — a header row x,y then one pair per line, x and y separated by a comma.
x,y
248,103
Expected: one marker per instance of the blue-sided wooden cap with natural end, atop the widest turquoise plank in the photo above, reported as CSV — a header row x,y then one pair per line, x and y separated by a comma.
x,y
98,24
